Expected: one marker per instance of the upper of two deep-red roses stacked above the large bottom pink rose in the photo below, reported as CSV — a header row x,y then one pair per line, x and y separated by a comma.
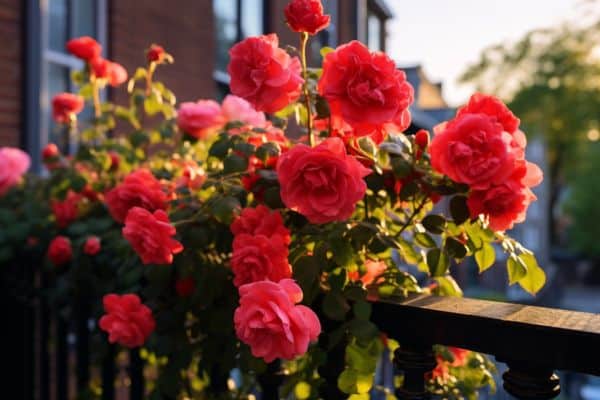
x,y
260,221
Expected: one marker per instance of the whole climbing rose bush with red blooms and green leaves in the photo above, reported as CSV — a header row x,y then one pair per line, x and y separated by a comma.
x,y
210,237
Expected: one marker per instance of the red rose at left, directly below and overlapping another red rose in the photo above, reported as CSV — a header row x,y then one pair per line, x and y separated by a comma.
x,y
150,235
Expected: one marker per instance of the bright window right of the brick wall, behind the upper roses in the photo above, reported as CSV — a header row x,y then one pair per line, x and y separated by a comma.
x,y
234,21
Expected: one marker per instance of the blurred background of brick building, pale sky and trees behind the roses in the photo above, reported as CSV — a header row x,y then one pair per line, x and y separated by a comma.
x,y
542,57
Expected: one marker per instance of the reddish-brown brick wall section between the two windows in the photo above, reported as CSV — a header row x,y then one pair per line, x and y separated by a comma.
x,y
184,27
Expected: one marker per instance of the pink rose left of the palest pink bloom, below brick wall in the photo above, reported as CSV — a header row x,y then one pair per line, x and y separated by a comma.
x,y
200,119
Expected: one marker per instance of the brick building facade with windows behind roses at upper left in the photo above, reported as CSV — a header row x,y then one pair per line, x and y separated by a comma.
x,y
34,65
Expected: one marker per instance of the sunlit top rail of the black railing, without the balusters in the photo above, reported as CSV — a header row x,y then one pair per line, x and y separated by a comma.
x,y
536,336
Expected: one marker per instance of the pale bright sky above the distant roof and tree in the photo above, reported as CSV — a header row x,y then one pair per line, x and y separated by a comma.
x,y
445,36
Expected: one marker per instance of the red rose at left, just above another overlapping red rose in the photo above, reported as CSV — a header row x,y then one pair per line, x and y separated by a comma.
x,y
139,189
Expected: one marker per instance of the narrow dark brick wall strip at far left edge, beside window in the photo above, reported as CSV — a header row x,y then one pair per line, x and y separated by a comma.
x,y
10,72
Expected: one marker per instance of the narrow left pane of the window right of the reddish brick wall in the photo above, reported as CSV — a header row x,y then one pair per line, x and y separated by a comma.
x,y
226,30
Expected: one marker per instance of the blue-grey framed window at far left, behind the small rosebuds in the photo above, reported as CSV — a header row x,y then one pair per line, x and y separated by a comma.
x,y
61,21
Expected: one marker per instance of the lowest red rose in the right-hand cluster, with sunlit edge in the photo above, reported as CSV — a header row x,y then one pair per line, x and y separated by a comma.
x,y
506,203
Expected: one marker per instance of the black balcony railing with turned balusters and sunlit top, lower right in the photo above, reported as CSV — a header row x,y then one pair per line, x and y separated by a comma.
x,y
533,341
